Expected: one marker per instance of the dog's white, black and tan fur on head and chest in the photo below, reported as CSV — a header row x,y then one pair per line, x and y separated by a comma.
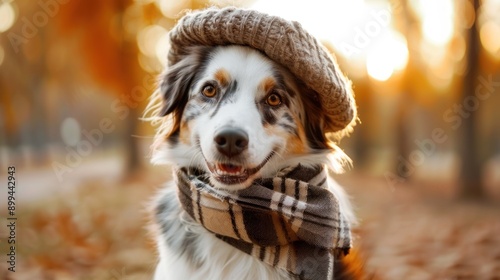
x,y
237,88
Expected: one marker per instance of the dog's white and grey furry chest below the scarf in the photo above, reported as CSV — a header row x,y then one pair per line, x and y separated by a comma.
x,y
188,251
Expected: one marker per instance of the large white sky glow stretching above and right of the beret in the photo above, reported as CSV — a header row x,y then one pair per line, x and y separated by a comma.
x,y
358,30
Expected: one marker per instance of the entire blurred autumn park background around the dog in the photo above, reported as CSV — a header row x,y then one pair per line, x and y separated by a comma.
x,y
76,75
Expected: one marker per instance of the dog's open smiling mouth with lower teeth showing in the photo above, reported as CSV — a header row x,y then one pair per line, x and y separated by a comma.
x,y
232,173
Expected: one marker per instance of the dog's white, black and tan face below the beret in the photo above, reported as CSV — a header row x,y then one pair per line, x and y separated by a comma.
x,y
237,115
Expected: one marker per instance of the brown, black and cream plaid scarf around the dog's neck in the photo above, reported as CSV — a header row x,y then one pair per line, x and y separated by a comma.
x,y
291,221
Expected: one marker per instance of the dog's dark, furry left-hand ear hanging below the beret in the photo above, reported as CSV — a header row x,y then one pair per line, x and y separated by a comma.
x,y
178,79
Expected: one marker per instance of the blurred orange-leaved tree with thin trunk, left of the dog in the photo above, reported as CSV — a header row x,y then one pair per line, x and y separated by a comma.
x,y
110,57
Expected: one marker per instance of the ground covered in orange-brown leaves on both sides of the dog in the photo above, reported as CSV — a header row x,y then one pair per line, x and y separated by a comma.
x,y
100,231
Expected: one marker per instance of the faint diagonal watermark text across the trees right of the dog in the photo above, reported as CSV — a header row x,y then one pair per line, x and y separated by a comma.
x,y
454,117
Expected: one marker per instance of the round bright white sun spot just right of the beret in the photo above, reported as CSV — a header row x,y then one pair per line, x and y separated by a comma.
x,y
388,55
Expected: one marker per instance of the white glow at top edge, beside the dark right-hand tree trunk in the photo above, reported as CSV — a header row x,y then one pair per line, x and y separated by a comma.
x,y
437,20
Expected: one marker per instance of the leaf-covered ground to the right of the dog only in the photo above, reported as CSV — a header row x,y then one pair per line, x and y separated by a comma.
x,y
414,231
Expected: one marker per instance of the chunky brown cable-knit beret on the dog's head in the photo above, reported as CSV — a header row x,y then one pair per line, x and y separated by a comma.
x,y
282,41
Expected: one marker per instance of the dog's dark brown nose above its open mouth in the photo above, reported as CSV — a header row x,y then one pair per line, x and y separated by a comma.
x,y
231,141
